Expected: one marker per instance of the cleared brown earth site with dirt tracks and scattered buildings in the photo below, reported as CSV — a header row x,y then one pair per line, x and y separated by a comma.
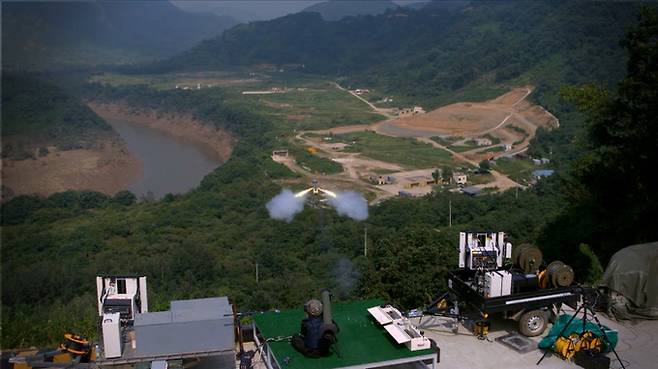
x,y
457,136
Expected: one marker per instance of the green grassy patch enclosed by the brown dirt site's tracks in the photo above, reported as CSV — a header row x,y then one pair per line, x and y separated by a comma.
x,y
404,151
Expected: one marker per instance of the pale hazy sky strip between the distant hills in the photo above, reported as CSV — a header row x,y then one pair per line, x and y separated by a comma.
x,y
249,10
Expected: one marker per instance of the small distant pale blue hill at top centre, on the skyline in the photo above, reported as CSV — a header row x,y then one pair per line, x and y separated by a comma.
x,y
336,9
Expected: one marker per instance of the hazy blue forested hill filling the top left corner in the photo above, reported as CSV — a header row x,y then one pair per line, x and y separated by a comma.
x,y
50,35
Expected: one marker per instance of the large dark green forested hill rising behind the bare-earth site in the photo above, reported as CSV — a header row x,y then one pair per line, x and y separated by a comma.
x,y
433,52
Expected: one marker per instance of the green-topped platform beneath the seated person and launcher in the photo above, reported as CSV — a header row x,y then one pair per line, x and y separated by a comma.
x,y
361,339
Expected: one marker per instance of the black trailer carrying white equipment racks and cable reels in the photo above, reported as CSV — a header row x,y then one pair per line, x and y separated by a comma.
x,y
521,289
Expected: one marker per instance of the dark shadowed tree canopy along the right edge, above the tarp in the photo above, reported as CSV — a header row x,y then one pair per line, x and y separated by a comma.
x,y
613,191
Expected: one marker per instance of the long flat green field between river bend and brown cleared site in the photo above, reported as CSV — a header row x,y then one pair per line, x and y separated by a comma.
x,y
308,102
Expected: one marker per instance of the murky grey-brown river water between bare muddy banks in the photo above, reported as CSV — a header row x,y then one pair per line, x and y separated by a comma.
x,y
169,164
